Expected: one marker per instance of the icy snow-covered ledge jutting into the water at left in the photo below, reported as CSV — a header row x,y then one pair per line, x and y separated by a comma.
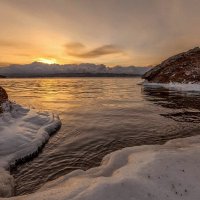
x,y
22,132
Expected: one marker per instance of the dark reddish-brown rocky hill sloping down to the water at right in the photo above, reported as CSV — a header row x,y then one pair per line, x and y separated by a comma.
x,y
181,68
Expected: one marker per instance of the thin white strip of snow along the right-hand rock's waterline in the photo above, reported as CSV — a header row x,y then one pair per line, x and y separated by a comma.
x,y
175,86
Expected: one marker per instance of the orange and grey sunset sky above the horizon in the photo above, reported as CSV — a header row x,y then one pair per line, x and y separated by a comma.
x,y
112,32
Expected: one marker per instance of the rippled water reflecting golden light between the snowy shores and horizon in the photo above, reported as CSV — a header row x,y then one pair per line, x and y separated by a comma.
x,y
99,115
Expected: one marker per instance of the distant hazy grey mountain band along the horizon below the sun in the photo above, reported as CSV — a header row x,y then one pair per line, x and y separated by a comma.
x,y
37,69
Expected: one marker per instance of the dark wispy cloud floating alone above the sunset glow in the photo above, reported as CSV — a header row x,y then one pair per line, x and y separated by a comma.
x,y
79,50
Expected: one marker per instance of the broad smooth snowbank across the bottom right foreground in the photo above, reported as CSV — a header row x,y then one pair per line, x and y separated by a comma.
x,y
169,171
